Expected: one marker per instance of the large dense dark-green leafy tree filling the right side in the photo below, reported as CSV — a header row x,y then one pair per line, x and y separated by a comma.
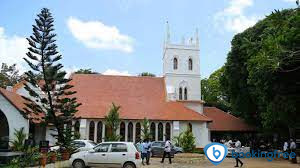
x,y
262,71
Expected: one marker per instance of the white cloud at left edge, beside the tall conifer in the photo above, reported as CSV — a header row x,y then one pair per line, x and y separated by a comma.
x,y
13,50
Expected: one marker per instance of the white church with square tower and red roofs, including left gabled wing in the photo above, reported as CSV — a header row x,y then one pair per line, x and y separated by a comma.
x,y
172,103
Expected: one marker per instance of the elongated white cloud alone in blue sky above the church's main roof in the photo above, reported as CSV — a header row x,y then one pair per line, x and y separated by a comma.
x,y
95,34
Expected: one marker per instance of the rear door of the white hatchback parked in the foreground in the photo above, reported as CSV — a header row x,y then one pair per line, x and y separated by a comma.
x,y
118,155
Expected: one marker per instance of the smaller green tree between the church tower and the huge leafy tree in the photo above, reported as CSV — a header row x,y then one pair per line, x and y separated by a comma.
x,y
212,91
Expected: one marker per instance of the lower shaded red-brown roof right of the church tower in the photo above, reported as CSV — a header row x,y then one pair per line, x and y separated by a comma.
x,y
223,121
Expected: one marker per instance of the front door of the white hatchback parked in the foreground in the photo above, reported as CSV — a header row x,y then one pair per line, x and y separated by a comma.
x,y
98,157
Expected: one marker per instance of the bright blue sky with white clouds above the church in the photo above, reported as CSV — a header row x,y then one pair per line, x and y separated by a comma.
x,y
125,37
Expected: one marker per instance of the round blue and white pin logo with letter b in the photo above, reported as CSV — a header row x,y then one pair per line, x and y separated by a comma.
x,y
215,152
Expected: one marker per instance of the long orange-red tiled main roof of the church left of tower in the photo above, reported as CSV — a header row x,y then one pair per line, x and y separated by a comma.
x,y
138,97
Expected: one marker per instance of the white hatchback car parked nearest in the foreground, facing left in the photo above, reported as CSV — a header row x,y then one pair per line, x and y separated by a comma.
x,y
108,154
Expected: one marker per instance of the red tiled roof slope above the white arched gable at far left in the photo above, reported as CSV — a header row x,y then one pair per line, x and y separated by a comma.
x,y
18,102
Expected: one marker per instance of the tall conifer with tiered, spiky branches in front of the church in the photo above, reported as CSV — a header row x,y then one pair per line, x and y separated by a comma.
x,y
57,102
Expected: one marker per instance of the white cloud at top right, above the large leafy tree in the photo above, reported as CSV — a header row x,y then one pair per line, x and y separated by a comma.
x,y
233,17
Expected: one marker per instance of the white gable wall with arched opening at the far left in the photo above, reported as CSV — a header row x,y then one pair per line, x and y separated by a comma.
x,y
14,117
